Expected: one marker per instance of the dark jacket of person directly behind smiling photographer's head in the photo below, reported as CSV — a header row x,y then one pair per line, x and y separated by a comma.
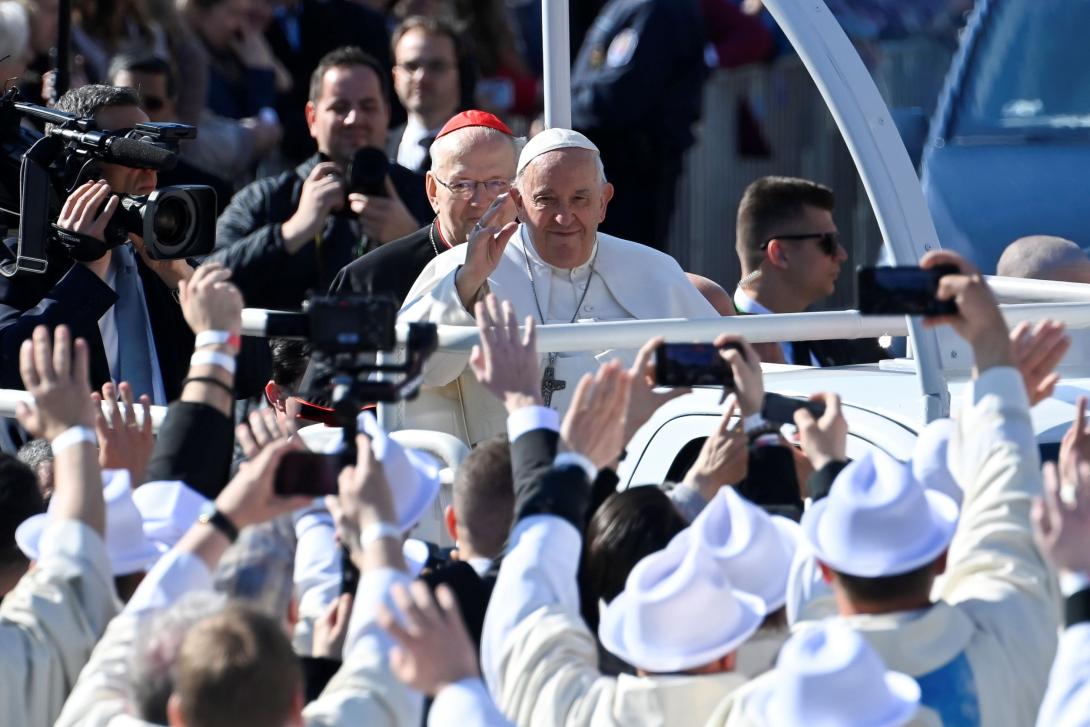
x,y
324,26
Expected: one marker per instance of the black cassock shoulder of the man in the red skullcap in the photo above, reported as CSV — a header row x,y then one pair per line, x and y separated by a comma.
x,y
392,270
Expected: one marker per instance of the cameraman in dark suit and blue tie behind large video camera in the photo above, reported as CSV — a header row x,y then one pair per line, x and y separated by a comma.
x,y
124,302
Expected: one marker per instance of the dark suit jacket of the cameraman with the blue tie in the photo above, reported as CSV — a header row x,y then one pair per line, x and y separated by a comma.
x,y
70,294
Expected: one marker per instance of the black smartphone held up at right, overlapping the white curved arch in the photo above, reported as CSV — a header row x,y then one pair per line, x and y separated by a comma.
x,y
903,292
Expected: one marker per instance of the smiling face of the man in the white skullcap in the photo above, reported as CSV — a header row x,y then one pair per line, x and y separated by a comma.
x,y
562,200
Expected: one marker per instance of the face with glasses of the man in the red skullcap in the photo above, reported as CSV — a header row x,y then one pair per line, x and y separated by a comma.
x,y
467,156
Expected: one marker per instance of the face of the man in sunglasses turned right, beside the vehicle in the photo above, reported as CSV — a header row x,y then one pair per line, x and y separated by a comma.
x,y
809,270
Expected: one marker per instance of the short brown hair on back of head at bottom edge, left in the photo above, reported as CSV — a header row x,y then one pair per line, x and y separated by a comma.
x,y
231,659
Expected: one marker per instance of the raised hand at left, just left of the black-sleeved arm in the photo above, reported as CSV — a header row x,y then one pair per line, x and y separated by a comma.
x,y
125,441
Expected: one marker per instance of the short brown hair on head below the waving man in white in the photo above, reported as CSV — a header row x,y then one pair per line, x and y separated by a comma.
x,y
485,496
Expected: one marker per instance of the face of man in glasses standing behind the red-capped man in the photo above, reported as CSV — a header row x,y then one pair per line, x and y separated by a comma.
x,y
426,75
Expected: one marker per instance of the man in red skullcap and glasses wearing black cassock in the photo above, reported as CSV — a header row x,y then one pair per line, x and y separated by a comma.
x,y
474,160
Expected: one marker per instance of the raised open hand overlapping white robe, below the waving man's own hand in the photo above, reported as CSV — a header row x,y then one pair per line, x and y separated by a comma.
x,y
505,361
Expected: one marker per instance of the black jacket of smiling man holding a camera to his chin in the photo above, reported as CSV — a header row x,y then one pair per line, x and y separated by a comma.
x,y
250,244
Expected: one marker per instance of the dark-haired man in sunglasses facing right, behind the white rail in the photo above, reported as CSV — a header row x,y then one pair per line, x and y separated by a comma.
x,y
791,258
